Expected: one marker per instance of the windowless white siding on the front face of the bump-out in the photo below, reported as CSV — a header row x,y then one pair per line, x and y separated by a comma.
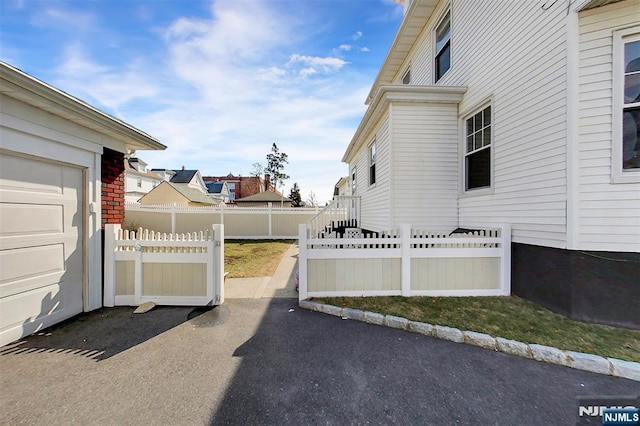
x,y
425,164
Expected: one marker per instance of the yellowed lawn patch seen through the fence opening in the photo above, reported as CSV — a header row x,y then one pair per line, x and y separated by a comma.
x,y
253,258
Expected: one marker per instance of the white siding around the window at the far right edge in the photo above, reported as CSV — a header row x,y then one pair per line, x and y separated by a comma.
x,y
609,213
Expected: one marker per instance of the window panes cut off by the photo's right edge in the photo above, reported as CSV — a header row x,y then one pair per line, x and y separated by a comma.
x,y
631,106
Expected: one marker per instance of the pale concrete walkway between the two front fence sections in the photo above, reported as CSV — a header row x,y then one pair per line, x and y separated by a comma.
x,y
281,284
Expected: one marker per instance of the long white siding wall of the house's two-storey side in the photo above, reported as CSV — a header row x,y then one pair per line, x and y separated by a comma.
x,y
512,54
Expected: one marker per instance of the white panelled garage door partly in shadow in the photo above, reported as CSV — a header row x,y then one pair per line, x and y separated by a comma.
x,y
41,257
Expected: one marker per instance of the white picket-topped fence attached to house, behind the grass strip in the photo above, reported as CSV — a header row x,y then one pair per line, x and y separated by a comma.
x,y
406,262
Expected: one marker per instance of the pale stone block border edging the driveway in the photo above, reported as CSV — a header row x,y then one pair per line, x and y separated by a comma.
x,y
593,363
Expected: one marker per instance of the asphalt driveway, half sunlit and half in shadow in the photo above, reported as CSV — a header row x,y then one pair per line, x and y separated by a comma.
x,y
253,361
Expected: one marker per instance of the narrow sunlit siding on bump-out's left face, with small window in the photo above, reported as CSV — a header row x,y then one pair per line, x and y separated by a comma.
x,y
375,199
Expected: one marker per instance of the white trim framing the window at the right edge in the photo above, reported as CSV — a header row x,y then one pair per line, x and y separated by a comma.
x,y
617,173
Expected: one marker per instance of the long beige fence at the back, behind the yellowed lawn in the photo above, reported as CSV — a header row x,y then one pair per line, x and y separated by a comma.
x,y
272,222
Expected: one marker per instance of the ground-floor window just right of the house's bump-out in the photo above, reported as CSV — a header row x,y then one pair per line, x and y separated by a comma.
x,y
477,161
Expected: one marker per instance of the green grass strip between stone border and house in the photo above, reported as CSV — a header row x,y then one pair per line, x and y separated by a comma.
x,y
507,317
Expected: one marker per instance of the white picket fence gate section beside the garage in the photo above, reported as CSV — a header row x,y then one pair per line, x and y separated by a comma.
x,y
166,269
